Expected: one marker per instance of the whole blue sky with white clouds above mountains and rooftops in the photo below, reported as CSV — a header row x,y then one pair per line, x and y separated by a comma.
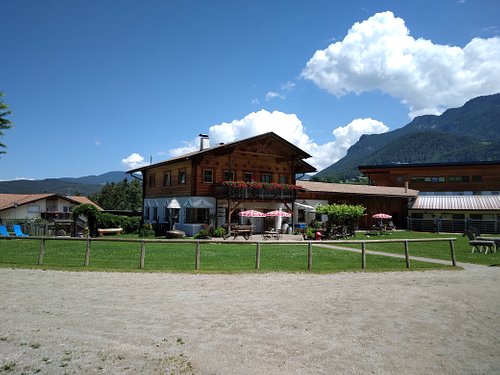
x,y
96,86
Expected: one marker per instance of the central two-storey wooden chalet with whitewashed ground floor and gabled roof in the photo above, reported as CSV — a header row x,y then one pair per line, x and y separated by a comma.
x,y
258,173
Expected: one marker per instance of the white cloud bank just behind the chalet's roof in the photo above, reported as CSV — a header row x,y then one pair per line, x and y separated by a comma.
x,y
289,127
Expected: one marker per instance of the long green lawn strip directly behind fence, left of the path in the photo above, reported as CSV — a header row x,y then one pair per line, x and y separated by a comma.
x,y
180,257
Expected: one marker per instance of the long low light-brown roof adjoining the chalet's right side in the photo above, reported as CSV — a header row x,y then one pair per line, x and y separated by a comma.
x,y
326,187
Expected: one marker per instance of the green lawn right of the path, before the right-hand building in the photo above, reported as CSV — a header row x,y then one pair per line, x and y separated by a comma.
x,y
437,250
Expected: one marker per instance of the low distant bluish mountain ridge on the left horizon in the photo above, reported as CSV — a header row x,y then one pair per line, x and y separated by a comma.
x,y
66,185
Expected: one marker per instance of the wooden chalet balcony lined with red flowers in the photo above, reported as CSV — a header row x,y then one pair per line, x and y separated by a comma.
x,y
259,192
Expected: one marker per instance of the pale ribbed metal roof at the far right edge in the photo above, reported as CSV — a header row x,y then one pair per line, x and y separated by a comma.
x,y
457,202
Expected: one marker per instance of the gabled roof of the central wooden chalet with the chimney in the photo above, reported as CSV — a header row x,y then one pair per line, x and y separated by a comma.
x,y
227,147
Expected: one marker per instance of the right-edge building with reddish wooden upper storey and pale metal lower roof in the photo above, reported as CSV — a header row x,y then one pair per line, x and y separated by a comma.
x,y
453,196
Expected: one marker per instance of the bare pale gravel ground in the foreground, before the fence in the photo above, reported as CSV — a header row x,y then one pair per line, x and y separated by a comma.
x,y
445,322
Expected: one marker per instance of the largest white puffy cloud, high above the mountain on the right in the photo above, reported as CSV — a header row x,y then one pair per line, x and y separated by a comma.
x,y
380,54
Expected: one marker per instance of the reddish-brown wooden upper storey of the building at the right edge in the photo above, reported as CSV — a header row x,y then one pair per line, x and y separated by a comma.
x,y
442,177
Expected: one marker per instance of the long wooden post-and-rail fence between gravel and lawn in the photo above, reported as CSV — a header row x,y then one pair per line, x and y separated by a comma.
x,y
198,247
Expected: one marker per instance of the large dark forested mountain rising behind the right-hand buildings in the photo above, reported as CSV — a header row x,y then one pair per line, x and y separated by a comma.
x,y
468,133
